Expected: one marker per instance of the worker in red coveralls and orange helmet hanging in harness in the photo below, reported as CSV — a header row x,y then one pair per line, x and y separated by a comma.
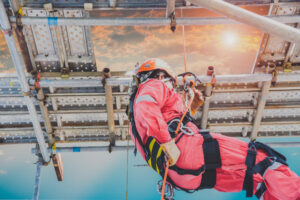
x,y
199,159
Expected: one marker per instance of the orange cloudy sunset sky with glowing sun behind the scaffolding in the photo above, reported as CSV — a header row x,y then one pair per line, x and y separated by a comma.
x,y
230,48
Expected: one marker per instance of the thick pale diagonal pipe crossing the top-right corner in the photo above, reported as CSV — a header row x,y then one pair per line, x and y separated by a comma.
x,y
265,24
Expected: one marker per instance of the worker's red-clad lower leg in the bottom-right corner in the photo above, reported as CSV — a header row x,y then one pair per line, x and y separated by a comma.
x,y
281,183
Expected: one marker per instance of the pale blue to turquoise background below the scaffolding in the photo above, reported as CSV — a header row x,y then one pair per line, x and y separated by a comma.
x,y
95,175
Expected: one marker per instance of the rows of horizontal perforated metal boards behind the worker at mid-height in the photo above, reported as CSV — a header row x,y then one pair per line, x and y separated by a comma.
x,y
80,114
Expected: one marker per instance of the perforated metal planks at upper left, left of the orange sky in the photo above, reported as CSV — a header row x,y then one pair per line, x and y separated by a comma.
x,y
53,48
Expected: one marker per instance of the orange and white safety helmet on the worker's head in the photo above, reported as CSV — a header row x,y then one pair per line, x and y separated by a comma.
x,y
154,64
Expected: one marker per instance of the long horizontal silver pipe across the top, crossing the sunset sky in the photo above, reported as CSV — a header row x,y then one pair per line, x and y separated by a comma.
x,y
67,21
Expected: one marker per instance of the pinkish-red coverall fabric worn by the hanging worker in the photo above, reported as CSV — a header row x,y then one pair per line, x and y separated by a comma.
x,y
155,105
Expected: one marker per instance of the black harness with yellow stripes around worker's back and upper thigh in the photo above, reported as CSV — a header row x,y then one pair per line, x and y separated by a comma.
x,y
156,159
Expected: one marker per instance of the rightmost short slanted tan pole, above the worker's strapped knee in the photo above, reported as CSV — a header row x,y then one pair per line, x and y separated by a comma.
x,y
260,108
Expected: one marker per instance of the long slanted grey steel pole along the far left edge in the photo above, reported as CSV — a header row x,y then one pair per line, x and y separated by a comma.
x,y
22,78
